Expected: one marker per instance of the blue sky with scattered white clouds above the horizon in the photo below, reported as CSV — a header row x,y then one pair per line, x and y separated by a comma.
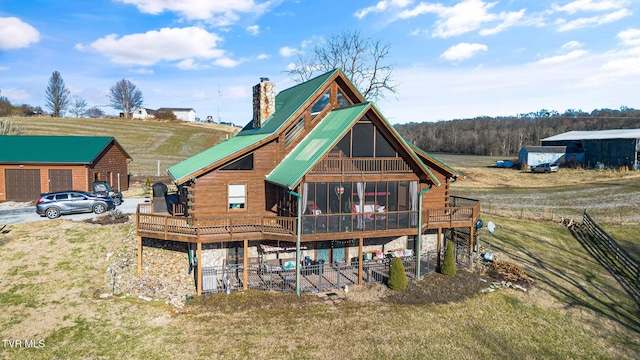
x,y
452,59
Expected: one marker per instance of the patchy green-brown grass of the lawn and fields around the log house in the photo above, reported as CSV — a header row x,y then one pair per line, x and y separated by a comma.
x,y
55,293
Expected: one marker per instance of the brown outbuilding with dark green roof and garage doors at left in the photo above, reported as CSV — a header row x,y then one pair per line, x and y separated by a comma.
x,y
31,165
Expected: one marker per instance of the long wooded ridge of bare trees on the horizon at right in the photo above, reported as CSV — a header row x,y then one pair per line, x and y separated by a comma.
x,y
504,136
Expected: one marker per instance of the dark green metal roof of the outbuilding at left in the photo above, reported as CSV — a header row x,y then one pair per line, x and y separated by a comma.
x,y
52,149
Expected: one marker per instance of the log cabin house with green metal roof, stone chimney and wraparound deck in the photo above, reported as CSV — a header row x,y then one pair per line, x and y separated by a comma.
x,y
320,172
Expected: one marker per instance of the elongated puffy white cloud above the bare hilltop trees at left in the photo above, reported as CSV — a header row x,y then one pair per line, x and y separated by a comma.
x,y
167,44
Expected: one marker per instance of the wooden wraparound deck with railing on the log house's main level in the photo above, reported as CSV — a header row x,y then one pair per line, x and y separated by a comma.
x,y
222,229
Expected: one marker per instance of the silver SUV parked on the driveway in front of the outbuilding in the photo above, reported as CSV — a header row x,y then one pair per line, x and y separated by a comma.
x,y
54,204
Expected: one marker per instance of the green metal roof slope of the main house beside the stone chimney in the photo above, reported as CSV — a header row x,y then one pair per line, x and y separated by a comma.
x,y
288,102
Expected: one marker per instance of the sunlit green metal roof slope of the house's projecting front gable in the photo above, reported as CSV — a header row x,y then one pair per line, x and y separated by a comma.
x,y
317,143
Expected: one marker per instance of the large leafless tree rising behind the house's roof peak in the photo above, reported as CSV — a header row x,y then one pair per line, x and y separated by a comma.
x,y
361,59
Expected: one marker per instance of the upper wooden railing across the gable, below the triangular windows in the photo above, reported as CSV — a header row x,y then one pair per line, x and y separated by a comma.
x,y
361,165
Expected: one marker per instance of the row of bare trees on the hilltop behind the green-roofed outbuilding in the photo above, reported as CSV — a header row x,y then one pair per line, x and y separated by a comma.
x,y
123,96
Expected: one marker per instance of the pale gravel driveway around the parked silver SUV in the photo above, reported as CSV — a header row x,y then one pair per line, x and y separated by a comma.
x,y
14,213
